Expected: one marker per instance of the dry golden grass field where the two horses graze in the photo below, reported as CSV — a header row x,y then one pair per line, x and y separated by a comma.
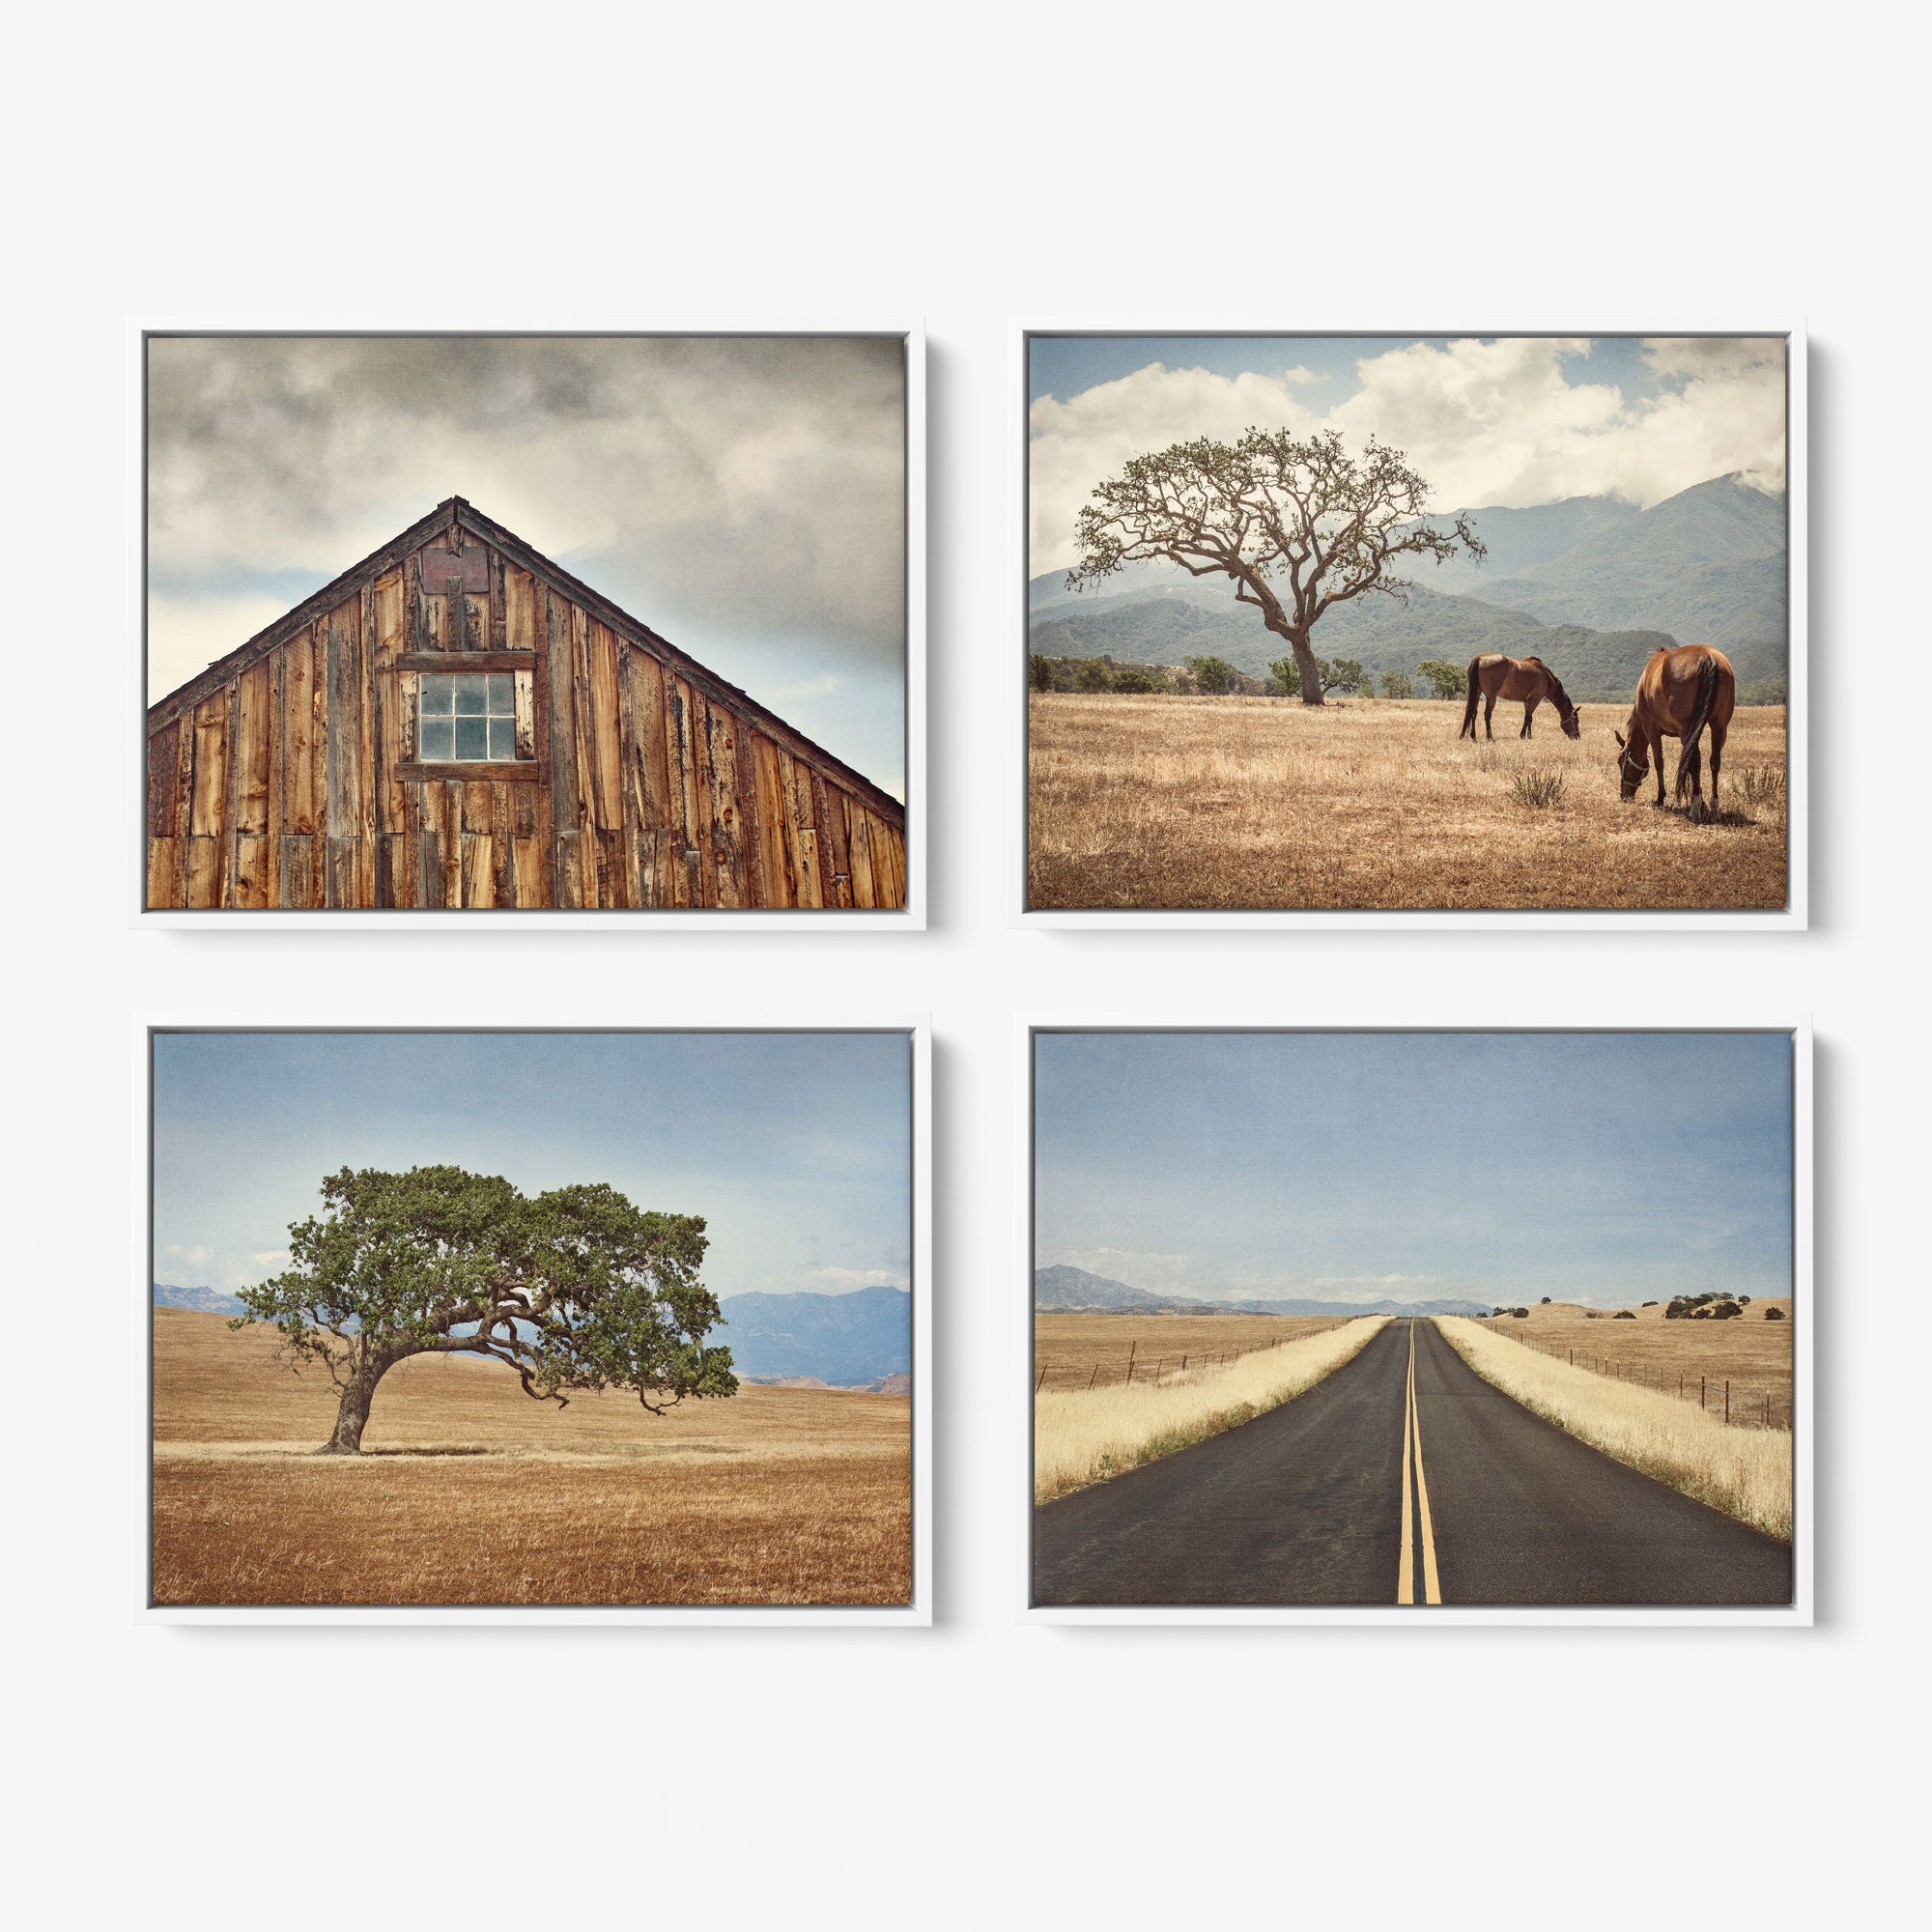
x,y
1375,805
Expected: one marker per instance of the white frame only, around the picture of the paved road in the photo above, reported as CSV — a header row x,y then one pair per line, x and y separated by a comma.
x,y
1800,1612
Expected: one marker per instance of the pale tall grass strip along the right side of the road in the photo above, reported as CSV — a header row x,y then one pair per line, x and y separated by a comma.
x,y
1746,1473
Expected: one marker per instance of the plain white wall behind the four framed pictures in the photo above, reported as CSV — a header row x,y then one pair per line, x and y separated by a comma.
x,y
1396,165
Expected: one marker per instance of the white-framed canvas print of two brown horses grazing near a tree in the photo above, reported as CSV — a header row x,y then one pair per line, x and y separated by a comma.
x,y
1400,627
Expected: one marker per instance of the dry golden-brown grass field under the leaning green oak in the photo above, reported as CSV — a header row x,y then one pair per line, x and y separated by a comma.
x,y
469,1492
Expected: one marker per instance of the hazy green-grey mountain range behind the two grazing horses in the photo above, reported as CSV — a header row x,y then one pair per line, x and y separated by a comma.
x,y
1591,584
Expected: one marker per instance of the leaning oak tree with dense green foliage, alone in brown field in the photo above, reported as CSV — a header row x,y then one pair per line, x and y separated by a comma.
x,y
575,1290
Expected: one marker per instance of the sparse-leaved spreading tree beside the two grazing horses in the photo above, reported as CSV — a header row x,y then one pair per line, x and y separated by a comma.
x,y
1299,525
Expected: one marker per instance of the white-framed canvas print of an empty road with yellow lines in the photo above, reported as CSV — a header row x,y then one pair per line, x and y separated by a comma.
x,y
1417,1322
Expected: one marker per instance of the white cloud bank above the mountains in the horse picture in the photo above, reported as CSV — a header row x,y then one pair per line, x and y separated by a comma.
x,y
1487,422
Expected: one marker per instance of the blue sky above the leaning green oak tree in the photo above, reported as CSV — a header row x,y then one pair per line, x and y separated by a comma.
x,y
793,1147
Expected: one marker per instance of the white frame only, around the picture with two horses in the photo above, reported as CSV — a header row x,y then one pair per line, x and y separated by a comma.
x,y
1796,913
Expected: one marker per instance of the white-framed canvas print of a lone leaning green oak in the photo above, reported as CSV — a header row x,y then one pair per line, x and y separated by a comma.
x,y
536,1322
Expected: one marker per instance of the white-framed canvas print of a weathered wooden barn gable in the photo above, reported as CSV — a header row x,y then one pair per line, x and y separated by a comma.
x,y
532,625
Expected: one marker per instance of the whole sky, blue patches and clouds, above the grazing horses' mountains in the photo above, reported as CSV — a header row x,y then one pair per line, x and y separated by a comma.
x,y
1489,422
